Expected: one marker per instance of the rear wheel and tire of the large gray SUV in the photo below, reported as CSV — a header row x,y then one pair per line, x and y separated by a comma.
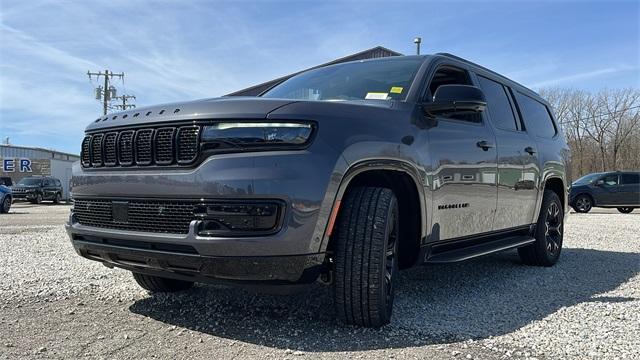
x,y
546,250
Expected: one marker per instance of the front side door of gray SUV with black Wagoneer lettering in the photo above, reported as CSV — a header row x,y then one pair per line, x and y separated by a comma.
x,y
463,168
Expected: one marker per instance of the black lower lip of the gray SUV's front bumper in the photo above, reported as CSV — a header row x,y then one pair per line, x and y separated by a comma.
x,y
181,262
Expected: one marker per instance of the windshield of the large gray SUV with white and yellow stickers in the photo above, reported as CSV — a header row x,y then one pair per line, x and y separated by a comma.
x,y
387,79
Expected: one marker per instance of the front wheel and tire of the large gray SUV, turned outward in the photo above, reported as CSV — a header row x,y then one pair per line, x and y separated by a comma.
x,y
366,256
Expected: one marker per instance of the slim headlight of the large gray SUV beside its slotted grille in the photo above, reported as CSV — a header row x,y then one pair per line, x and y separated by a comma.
x,y
251,135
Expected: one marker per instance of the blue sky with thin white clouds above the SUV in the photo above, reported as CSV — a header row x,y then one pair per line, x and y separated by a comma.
x,y
182,50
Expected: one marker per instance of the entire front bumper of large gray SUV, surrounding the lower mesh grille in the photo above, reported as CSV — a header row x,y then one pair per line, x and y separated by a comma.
x,y
293,255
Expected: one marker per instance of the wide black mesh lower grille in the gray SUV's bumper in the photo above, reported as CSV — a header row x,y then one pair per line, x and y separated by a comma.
x,y
158,216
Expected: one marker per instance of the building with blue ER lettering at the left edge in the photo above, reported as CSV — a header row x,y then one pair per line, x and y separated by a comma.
x,y
22,161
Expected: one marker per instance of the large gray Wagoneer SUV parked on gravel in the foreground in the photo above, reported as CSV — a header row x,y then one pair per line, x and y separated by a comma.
x,y
341,175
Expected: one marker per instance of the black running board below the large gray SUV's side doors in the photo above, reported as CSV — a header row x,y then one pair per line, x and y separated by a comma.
x,y
478,249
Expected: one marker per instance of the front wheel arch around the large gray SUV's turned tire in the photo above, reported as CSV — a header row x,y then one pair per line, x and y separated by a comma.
x,y
406,183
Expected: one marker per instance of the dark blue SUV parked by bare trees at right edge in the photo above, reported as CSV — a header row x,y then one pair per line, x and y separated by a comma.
x,y
619,190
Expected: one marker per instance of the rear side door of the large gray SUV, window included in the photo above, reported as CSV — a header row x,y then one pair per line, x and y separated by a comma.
x,y
517,158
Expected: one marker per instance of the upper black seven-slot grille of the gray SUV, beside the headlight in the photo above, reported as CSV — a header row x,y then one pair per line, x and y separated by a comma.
x,y
166,146
